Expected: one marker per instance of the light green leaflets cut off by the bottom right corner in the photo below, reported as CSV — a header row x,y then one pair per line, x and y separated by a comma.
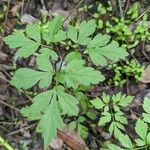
x,y
142,130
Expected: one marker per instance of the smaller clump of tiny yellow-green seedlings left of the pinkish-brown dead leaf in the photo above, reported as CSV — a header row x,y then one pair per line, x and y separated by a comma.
x,y
131,69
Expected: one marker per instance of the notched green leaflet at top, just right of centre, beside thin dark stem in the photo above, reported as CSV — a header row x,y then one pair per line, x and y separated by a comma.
x,y
81,35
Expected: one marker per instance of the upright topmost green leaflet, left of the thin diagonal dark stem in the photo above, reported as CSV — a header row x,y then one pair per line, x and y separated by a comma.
x,y
54,33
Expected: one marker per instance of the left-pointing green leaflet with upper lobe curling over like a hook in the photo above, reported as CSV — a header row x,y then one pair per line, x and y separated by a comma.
x,y
26,78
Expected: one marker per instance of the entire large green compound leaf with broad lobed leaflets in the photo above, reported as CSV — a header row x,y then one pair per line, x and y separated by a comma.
x,y
72,72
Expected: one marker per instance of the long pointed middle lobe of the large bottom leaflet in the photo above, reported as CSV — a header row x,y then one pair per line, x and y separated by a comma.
x,y
50,122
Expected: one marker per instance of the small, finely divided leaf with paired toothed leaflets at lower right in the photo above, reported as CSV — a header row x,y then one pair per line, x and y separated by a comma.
x,y
111,111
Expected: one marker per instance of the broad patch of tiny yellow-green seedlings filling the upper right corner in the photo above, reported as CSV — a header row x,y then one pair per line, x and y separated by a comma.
x,y
129,31
